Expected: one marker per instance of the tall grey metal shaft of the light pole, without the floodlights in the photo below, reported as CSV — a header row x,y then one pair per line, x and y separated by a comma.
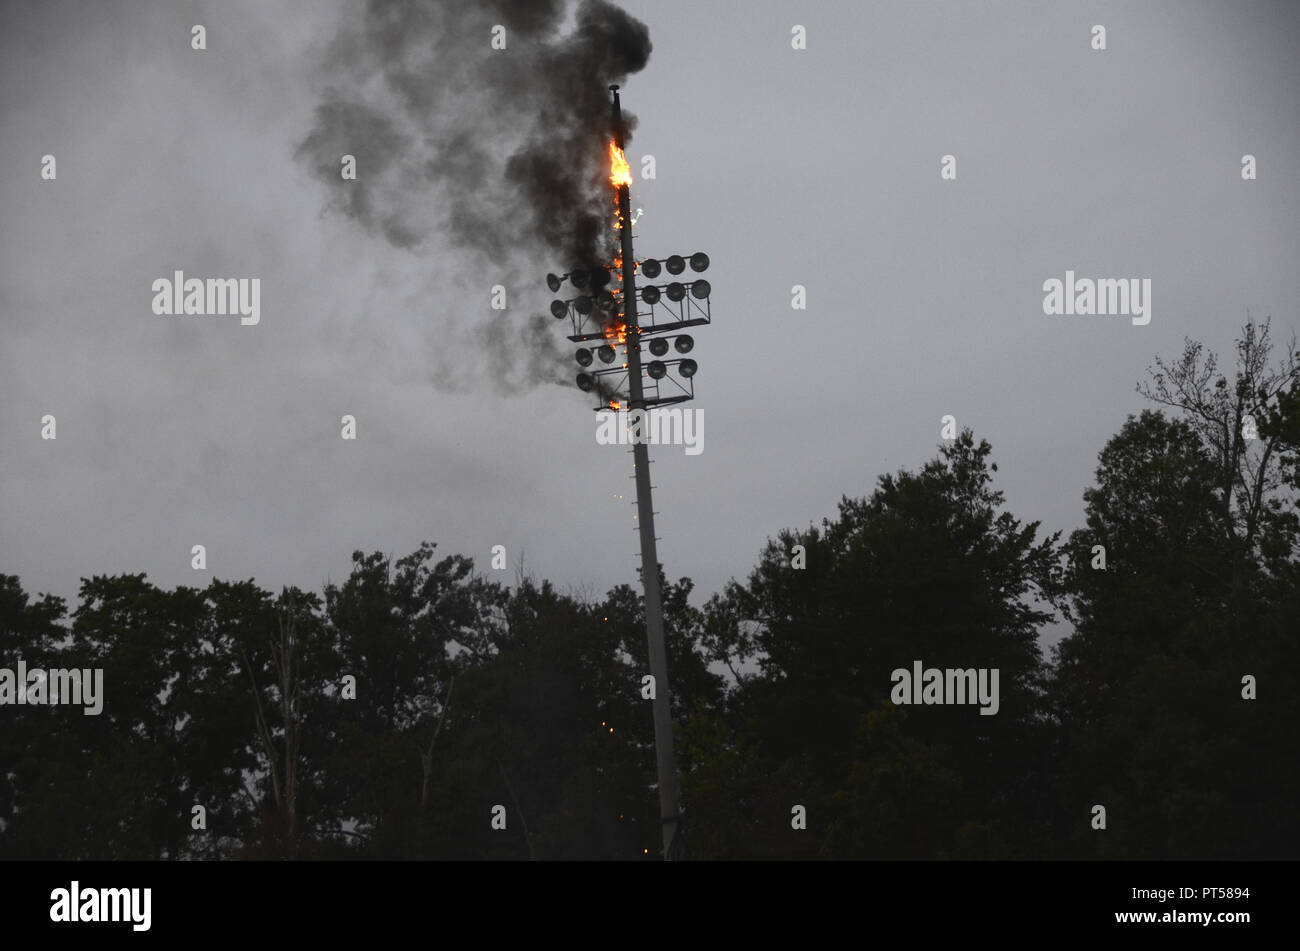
x,y
666,762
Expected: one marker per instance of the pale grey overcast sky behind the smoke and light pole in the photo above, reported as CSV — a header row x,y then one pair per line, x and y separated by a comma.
x,y
816,167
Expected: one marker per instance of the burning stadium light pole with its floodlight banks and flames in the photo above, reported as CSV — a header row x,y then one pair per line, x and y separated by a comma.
x,y
616,319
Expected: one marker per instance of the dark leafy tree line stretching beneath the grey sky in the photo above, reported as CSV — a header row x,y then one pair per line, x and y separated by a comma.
x,y
389,715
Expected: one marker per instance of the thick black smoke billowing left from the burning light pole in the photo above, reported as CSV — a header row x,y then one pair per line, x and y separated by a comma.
x,y
505,153
